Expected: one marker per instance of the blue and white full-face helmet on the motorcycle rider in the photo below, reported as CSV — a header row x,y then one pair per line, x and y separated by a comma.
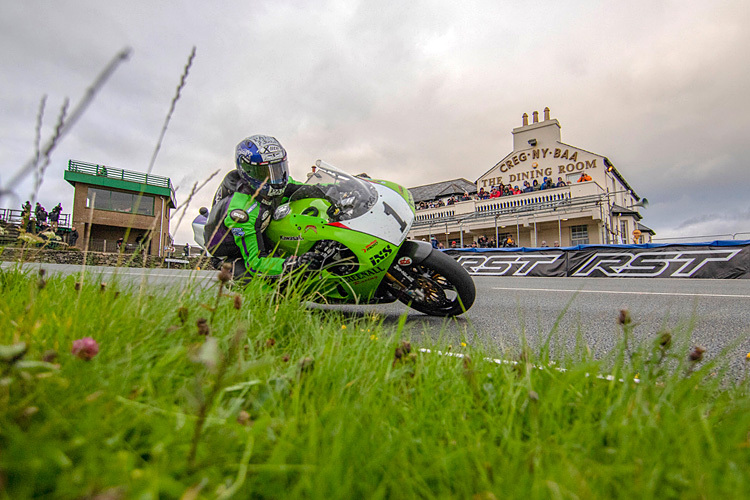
x,y
261,162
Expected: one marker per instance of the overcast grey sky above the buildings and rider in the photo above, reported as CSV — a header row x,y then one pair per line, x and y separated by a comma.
x,y
414,92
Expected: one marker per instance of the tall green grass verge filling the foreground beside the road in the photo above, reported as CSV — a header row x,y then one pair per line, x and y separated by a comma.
x,y
300,402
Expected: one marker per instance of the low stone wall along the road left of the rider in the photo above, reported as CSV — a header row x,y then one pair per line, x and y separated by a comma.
x,y
75,257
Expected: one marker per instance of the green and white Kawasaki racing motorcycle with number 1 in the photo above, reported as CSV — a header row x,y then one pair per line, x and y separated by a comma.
x,y
359,227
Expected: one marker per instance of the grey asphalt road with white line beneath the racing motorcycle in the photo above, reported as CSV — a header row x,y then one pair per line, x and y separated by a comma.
x,y
712,313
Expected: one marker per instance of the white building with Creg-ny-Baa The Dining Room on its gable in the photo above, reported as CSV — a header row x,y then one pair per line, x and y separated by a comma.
x,y
601,210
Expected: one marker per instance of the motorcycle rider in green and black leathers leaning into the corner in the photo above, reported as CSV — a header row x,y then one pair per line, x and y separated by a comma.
x,y
242,209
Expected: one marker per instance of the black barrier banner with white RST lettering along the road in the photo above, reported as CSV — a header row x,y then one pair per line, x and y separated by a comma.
x,y
715,260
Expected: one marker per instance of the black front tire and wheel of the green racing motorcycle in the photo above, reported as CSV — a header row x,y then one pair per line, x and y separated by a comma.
x,y
440,286
